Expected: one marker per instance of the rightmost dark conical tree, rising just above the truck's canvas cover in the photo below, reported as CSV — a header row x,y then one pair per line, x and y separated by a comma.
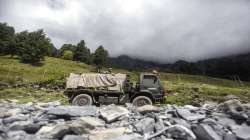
x,y
100,57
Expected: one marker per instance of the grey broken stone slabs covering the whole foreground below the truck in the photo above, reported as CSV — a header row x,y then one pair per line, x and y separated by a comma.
x,y
42,121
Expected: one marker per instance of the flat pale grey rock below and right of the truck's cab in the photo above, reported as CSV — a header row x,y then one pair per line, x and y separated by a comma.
x,y
190,116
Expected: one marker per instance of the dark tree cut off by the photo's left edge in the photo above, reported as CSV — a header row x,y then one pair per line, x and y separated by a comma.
x,y
7,39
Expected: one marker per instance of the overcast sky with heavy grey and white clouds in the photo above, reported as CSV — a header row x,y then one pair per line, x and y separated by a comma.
x,y
158,30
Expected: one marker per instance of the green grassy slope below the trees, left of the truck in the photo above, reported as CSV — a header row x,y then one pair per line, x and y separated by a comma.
x,y
54,69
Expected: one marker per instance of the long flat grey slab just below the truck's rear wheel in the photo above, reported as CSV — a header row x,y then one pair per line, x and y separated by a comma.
x,y
72,111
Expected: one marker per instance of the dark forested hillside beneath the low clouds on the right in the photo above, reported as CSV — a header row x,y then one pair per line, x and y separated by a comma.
x,y
230,67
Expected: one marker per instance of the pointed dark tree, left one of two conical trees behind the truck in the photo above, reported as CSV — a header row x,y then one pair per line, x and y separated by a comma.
x,y
82,53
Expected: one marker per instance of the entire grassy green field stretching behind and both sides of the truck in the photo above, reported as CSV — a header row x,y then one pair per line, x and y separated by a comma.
x,y
182,88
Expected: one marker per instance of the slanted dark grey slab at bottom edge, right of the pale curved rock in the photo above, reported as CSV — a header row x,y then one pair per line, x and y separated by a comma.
x,y
206,132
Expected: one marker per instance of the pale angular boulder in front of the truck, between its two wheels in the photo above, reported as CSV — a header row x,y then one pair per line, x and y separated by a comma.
x,y
112,113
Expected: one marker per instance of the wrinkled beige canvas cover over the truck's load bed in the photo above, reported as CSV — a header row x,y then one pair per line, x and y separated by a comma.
x,y
95,80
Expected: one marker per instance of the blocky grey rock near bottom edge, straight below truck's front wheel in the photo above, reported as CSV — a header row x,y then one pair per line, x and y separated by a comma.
x,y
145,126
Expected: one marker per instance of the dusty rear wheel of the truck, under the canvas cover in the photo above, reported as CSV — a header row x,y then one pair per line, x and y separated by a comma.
x,y
82,100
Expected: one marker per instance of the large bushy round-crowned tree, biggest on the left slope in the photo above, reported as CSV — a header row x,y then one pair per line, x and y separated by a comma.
x,y
32,46
